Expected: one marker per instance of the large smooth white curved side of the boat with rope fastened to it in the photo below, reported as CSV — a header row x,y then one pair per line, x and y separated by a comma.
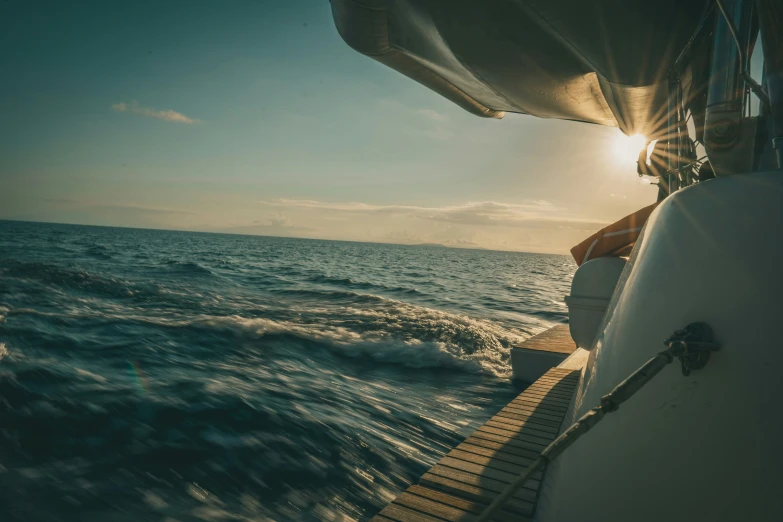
x,y
708,446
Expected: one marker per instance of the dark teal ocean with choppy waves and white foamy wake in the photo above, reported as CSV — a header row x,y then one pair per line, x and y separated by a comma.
x,y
178,376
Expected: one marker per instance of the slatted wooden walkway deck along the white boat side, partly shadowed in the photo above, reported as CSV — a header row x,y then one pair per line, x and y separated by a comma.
x,y
466,480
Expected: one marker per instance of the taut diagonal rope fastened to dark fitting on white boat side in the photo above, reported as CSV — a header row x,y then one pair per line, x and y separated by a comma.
x,y
692,346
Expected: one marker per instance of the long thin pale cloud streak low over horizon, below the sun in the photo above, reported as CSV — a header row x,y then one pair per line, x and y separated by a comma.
x,y
529,214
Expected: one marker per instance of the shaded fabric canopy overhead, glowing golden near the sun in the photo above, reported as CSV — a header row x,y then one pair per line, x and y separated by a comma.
x,y
603,62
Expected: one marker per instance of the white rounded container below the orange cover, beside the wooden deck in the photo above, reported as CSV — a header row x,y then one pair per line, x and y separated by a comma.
x,y
591,289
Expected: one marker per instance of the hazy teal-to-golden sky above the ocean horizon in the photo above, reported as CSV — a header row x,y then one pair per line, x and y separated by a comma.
x,y
255,117
